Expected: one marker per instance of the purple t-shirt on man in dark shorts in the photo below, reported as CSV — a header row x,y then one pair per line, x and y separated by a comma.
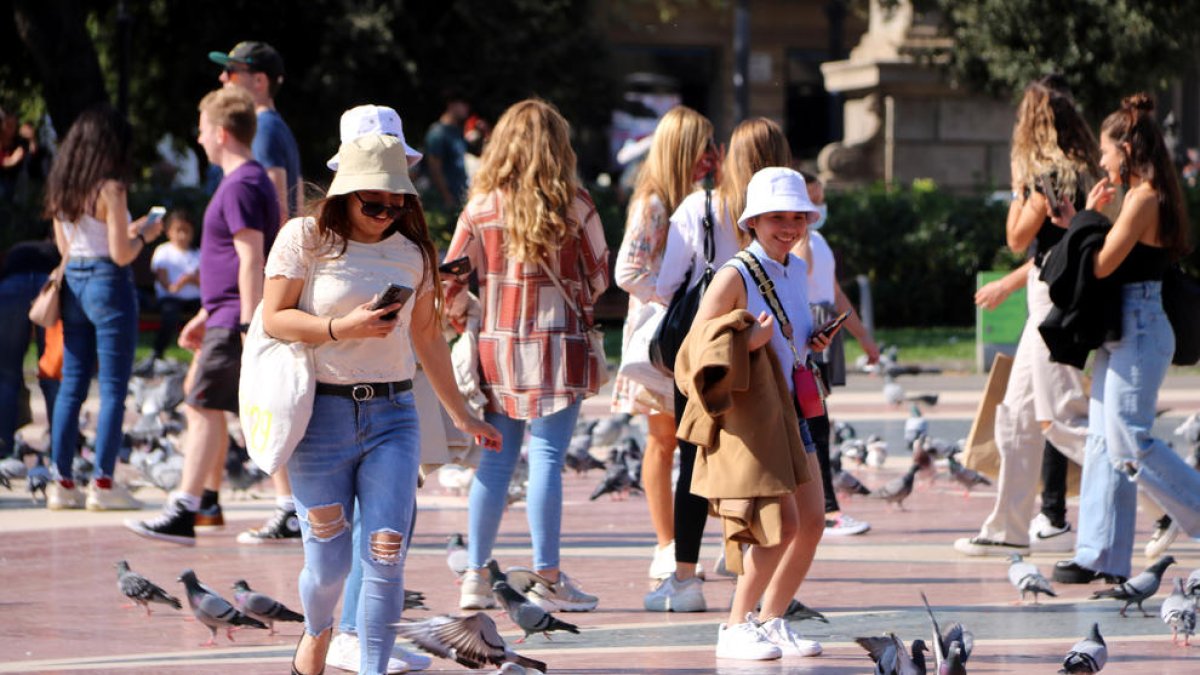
x,y
245,199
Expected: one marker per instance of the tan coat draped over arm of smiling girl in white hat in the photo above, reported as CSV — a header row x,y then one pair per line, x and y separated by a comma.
x,y
740,414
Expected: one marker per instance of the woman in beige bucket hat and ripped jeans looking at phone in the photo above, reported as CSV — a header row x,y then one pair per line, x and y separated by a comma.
x,y
325,277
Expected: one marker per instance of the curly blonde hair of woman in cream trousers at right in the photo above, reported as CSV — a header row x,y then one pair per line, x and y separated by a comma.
x,y
1052,139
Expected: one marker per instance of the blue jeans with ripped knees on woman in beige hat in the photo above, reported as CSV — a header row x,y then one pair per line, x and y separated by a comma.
x,y
361,455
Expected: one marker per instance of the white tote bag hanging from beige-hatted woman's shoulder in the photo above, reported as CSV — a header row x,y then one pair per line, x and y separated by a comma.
x,y
275,395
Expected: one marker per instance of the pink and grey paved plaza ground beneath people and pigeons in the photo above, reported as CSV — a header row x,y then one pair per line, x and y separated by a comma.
x,y
58,586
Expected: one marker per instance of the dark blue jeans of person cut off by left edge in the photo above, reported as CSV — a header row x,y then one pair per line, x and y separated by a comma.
x,y
17,294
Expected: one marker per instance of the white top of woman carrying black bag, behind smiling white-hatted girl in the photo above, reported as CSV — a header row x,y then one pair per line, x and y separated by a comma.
x,y
686,244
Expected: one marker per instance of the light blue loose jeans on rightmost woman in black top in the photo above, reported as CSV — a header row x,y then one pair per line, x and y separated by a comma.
x,y
1121,455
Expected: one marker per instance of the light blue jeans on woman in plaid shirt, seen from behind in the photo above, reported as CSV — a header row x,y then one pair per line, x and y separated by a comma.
x,y
544,503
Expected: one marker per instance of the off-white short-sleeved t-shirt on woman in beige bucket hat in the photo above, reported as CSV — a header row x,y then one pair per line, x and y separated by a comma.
x,y
339,285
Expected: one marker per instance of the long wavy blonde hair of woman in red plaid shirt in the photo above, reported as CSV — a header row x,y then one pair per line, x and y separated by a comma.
x,y
530,162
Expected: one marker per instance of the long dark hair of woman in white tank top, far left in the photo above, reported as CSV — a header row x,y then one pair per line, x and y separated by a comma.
x,y
98,148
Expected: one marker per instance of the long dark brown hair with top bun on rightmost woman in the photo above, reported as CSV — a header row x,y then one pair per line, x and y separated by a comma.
x,y
1148,158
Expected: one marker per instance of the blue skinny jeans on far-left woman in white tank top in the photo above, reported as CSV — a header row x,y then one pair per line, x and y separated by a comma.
x,y
100,327
